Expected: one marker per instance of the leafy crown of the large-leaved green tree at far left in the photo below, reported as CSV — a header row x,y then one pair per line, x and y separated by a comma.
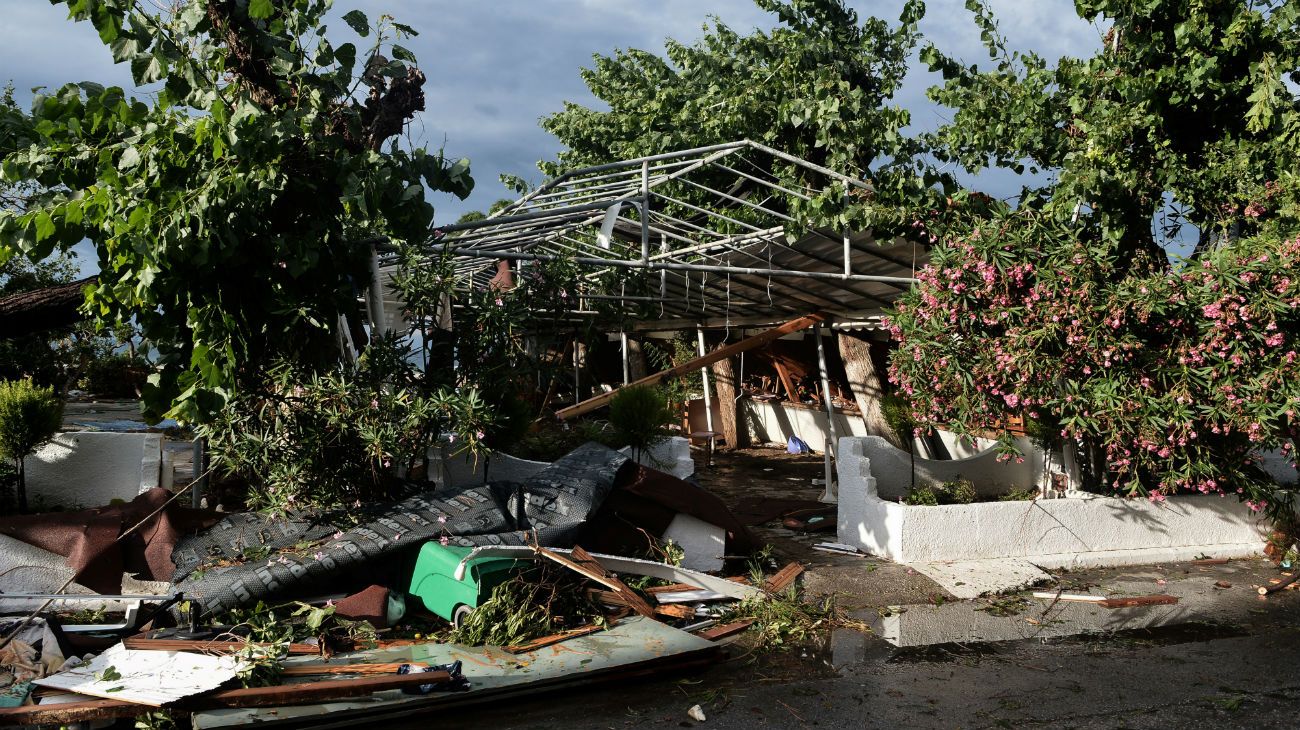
x,y
229,214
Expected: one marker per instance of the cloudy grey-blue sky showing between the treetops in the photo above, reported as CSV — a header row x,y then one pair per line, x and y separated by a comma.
x,y
497,67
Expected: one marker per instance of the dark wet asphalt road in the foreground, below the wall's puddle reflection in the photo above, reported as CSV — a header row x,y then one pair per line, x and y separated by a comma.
x,y
1242,670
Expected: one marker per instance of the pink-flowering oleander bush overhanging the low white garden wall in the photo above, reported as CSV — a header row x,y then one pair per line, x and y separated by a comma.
x,y
1180,377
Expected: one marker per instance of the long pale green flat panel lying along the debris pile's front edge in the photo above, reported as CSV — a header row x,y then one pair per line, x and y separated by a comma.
x,y
492,671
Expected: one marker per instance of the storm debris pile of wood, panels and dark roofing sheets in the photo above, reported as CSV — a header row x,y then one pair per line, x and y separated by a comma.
x,y
421,605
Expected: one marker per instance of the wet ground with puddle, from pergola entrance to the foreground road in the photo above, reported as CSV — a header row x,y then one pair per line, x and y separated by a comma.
x,y
1220,658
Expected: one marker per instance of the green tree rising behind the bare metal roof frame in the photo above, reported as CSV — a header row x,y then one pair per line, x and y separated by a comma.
x,y
818,86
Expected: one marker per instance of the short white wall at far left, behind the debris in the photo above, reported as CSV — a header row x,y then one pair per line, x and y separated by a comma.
x,y
93,468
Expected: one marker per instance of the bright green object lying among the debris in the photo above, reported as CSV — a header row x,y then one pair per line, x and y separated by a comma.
x,y
435,580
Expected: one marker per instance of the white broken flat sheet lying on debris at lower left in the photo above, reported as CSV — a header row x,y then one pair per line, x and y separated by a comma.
x,y
146,677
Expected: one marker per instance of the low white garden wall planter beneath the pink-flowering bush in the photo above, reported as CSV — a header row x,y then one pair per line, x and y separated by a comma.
x,y
1080,531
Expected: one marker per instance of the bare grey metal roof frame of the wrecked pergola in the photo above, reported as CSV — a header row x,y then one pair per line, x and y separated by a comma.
x,y
712,225
